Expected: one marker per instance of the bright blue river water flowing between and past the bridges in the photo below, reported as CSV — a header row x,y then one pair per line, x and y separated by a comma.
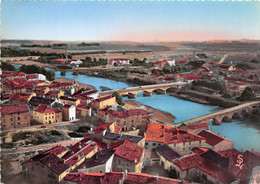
x,y
245,133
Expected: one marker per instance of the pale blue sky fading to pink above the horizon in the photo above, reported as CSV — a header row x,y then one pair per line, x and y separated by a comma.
x,y
141,21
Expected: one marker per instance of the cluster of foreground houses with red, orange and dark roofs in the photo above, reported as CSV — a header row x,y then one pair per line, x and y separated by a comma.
x,y
107,149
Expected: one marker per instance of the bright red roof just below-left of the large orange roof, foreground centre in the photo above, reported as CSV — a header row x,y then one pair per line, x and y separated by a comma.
x,y
127,150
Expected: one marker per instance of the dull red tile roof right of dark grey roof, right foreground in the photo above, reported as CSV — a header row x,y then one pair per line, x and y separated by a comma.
x,y
188,162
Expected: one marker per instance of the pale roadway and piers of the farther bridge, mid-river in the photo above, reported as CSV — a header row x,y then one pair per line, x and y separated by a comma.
x,y
147,88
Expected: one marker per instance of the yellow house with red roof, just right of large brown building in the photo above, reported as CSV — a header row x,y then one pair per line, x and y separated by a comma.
x,y
46,115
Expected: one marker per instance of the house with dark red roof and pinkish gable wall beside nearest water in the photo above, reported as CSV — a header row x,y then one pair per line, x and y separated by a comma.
x,y
216,142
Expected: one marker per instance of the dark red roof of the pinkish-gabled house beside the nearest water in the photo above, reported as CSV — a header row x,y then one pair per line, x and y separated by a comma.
x,y
212,138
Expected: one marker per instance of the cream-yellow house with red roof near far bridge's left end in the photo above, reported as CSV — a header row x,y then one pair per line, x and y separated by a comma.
x,y
103,102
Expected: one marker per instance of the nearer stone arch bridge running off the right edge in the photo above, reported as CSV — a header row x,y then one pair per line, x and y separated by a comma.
x,y
226,114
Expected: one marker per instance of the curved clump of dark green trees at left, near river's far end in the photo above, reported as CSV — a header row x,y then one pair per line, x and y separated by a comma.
x,y
31,69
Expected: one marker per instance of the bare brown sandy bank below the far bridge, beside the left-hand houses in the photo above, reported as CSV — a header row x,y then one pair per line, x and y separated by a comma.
x,y
158,115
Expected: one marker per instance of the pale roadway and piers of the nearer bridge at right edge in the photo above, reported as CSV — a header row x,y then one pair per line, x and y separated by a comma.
x,y
223,113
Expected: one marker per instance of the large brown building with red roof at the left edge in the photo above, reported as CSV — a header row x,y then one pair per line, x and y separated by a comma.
x,y
15,116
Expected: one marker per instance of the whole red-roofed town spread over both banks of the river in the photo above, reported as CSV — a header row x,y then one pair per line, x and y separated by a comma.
x,y
119,143
